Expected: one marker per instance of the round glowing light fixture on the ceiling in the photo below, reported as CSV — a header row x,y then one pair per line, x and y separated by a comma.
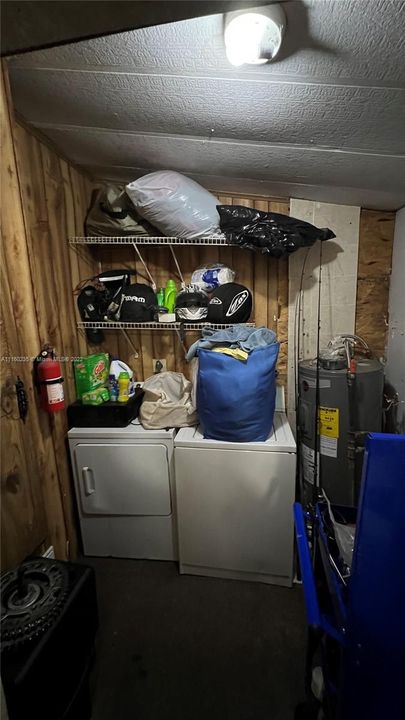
x,y
254,37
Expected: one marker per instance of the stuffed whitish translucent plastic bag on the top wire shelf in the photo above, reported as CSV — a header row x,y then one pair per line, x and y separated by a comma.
x,y
176,205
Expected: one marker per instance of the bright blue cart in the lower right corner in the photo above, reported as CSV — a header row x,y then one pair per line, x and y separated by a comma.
x,y
357,621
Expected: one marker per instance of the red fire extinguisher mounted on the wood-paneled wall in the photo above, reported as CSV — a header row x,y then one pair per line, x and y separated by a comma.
x,y
50,381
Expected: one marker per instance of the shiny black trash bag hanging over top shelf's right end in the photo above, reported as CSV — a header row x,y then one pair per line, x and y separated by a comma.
x,y
272,233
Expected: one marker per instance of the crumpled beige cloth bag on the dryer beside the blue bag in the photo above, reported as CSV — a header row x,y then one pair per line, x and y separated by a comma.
x,y
167,402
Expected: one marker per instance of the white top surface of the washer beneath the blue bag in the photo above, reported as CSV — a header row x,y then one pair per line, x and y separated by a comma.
x,y
280,440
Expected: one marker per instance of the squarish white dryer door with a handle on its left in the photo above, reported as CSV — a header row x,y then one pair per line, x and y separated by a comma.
x,y
123,479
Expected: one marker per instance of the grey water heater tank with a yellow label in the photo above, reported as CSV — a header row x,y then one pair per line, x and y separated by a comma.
x,y
346,413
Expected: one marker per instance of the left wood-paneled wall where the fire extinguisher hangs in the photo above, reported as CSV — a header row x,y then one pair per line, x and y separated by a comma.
x,y
43,201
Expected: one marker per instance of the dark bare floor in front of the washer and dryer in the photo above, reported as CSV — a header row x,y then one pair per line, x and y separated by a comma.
x,y
174,647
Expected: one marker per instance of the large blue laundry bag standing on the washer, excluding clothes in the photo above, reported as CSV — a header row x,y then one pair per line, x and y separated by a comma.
x,y
236,399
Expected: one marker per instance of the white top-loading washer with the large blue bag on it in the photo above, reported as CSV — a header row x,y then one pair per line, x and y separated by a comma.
x,y
234,505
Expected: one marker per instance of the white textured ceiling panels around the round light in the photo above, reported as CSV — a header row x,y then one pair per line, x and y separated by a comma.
x,y
324,122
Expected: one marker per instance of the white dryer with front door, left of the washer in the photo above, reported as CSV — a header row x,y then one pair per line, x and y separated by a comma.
x,y
124,480
